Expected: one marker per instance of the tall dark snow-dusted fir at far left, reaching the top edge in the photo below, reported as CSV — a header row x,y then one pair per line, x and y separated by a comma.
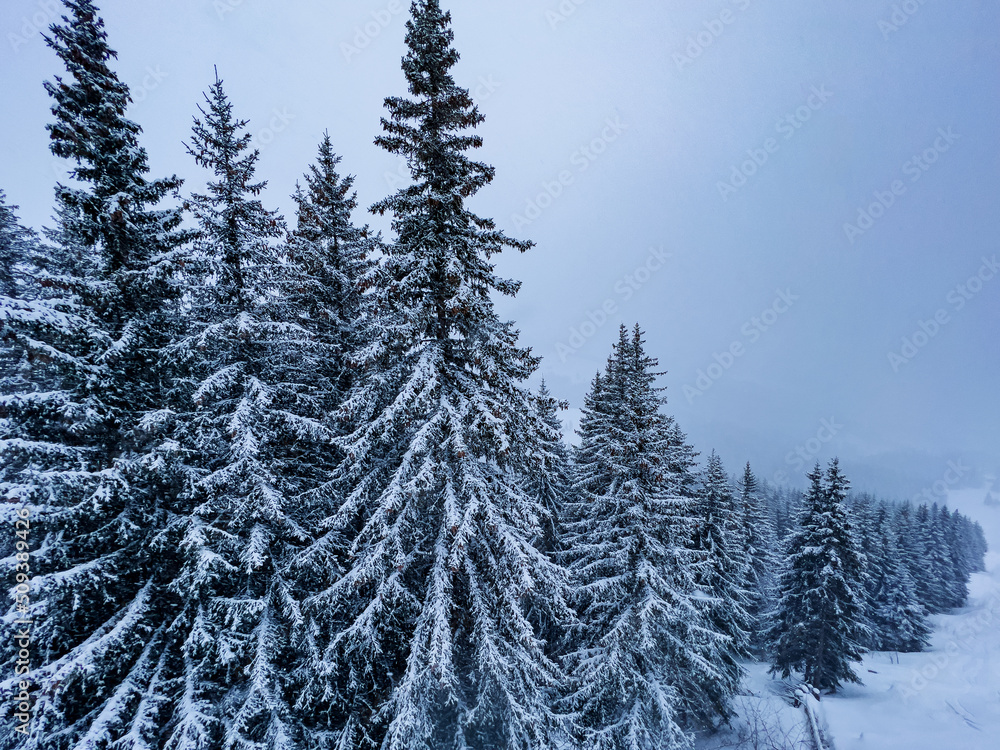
x,y
75,447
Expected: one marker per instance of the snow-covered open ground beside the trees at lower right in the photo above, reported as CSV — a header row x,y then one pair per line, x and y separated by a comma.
x,y
946,698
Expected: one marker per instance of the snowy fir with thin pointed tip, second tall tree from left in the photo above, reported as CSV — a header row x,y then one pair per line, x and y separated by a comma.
x,y
249,418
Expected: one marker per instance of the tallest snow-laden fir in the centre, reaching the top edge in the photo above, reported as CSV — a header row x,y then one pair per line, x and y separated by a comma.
x,y
434,647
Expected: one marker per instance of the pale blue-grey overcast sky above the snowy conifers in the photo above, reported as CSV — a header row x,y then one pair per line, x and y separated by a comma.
x,y
797,201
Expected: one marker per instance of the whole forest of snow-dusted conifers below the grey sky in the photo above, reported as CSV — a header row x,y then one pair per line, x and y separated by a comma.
x,y
295,483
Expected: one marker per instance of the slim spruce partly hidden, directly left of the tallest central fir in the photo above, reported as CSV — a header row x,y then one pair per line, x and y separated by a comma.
x,y
330,267
